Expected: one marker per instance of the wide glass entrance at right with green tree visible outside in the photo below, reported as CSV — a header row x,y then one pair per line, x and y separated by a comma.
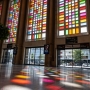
x,y
74,57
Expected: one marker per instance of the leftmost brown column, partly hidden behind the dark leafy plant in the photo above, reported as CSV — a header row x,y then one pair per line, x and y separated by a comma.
x,y
3,18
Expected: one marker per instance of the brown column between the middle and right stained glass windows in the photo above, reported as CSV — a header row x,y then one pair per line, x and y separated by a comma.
x,y
50,33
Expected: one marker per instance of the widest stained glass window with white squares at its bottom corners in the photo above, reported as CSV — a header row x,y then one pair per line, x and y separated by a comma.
x,y
72,17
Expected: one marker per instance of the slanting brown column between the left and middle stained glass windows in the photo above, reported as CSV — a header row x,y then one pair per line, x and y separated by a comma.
x,y
20,34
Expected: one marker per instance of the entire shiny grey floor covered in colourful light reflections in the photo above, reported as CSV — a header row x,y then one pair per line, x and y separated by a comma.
x,y
43,78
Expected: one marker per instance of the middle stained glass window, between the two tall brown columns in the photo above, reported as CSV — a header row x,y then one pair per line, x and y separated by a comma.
x,y
37,20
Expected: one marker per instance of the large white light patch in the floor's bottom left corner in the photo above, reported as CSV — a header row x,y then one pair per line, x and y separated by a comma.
x,y
14,87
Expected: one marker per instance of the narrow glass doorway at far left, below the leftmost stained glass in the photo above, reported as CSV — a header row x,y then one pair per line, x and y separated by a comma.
x,y
7,57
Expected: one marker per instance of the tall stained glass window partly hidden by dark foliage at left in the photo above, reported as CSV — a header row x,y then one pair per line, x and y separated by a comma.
x,y
12,19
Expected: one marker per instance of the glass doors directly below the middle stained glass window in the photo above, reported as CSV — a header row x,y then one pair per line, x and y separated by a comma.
x,y
34,56
